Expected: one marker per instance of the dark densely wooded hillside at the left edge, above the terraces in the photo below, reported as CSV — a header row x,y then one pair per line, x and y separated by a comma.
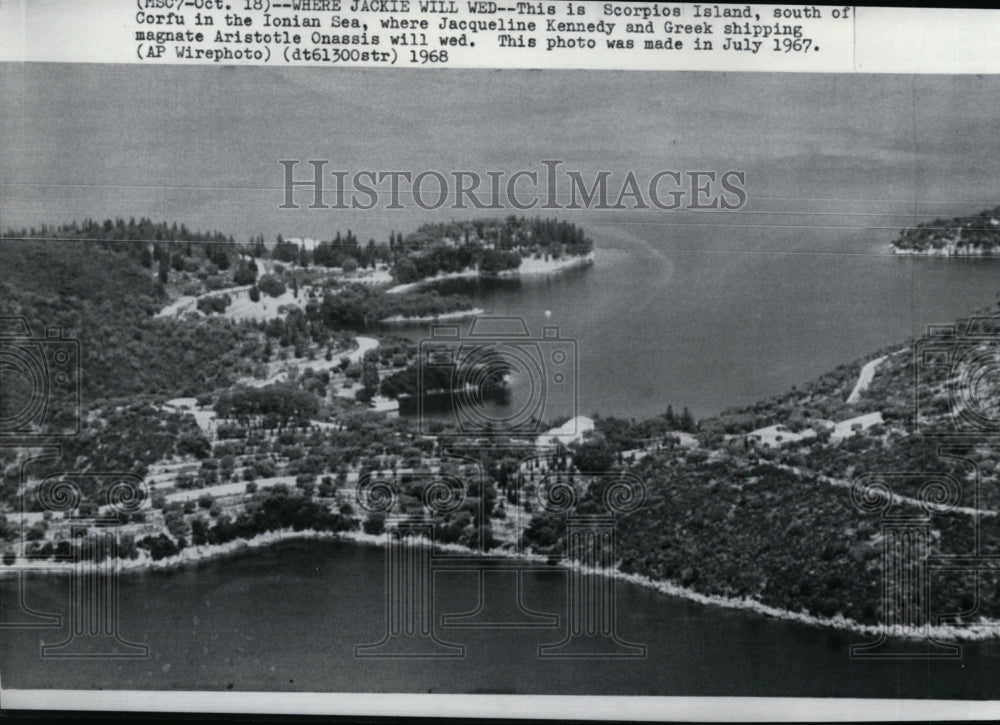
x,y
97,293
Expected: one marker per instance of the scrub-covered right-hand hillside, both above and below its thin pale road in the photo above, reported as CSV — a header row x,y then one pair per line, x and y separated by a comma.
x,y
779,525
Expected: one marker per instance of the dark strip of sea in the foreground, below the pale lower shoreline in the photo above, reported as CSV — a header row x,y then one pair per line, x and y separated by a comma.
x,y
288,618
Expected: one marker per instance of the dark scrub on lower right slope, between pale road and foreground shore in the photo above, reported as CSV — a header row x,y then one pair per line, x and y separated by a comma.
x,y
736,528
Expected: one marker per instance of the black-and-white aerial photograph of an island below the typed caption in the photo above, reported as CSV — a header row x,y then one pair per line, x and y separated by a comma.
x,y
499,382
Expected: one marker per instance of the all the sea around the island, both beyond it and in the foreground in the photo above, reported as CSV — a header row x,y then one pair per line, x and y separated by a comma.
x,y
697,309
